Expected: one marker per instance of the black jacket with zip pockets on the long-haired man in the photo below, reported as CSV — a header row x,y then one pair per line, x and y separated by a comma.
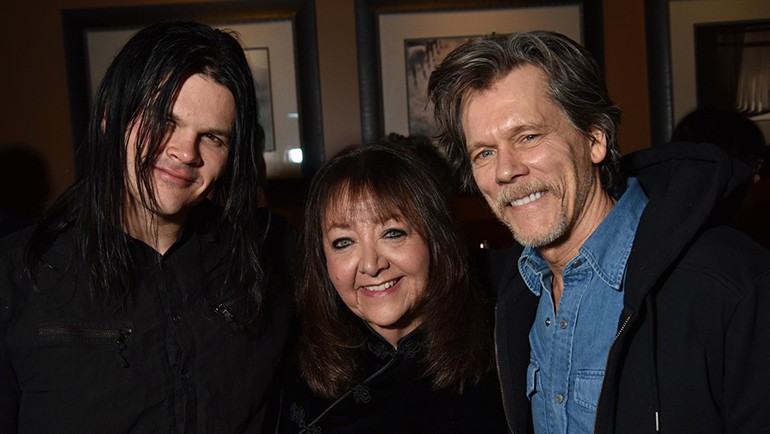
x,y
175,358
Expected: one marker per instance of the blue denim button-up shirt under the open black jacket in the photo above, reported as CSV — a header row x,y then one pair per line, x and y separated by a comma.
x,y
570,347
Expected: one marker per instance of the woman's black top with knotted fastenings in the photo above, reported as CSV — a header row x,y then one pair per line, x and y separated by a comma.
x,y
393,399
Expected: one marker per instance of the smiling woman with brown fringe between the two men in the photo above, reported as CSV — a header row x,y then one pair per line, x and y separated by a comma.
x,y
394,335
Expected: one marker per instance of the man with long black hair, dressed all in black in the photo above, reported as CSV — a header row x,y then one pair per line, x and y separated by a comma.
x,y
153,296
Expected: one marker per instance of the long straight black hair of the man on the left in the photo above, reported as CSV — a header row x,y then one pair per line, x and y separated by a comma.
x,y
140,87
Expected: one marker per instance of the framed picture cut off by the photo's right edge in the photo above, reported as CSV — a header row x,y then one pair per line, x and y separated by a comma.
x,y
707,53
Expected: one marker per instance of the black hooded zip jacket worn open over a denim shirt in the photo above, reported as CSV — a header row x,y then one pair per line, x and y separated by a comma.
x,y
693,340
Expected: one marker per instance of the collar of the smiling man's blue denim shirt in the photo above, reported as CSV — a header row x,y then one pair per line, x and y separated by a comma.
x,y
606,250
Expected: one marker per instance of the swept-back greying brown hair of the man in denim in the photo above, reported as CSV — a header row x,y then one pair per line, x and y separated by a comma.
x,y
575,84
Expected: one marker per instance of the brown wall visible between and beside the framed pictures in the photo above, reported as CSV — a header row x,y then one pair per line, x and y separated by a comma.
x,y
33,89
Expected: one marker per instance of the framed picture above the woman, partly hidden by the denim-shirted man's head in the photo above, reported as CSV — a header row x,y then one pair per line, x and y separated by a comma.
x,y
401,42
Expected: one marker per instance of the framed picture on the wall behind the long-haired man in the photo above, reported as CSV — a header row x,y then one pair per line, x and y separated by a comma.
x,y
279,39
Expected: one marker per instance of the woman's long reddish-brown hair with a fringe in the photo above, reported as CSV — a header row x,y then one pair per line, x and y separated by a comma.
x,y
453,323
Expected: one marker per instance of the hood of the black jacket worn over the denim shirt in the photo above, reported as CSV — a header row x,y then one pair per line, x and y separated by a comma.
x,y
689,186
